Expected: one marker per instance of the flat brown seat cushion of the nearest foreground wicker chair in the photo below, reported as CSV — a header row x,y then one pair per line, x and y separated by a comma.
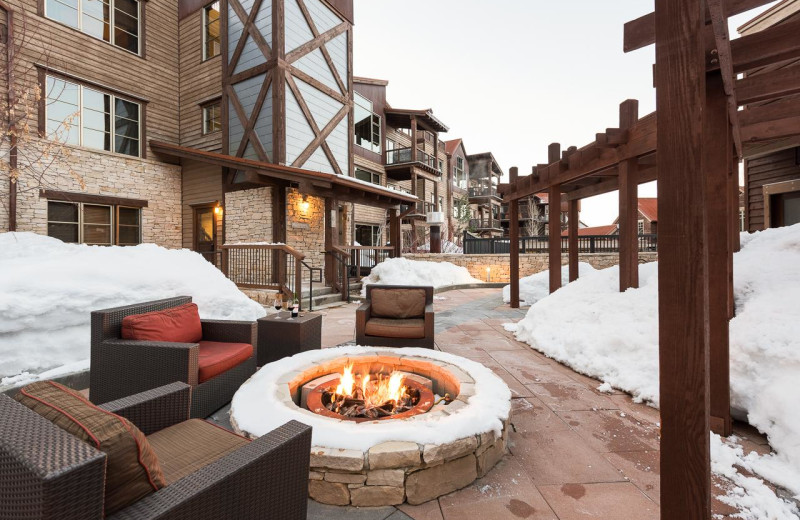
x,y
188,446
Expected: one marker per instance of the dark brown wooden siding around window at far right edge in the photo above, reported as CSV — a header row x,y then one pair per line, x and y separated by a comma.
x,y
769,169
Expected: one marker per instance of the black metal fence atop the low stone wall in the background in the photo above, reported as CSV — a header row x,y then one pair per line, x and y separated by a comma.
x,y
539,244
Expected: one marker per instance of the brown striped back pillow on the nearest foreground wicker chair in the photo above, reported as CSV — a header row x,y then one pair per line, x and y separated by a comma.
x,y
132,467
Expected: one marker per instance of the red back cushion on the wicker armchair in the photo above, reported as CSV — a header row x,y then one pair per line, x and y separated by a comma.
x,y
179,324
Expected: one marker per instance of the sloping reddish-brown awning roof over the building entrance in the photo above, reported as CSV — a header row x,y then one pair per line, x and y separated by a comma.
x,y
321,184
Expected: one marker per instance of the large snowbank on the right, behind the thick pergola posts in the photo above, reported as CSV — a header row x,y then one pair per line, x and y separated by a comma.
x,y
592,327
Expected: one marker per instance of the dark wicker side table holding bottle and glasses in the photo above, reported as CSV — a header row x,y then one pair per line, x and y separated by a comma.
x,y
281,337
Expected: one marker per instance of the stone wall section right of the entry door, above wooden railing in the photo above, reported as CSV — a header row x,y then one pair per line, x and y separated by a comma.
x,y
248,216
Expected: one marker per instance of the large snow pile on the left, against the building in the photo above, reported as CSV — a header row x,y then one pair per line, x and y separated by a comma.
x,y
49,288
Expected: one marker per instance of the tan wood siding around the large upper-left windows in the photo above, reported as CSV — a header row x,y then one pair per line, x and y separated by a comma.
x,y
152,76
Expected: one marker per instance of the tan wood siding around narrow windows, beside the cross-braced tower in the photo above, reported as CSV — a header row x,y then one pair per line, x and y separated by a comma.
x,y
200,81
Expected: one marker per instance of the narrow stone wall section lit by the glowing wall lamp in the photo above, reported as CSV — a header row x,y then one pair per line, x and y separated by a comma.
x,y
305,228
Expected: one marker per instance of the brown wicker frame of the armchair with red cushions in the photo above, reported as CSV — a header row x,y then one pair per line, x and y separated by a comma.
x,y
121,367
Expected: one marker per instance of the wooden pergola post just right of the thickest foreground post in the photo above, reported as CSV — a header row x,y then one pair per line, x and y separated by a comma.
x,y
717,154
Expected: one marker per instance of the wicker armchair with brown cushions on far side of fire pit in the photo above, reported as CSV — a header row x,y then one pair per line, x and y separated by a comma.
x,y
396,316
